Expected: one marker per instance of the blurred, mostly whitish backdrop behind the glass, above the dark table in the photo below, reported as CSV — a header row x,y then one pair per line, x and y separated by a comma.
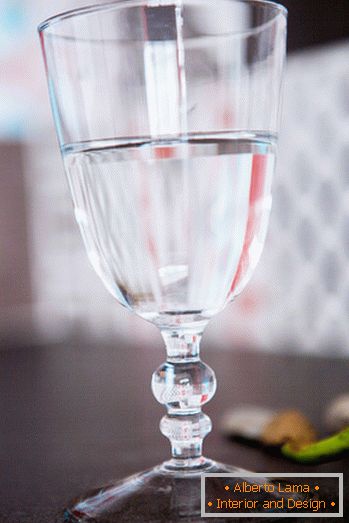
x,y
298,299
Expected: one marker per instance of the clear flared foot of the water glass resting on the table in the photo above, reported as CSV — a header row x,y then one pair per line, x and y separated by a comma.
x,y
157,495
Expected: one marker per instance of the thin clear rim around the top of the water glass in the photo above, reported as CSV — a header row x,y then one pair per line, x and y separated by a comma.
x,y
121,4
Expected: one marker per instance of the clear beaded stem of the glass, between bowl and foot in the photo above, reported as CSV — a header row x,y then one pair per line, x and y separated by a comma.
x,y
184,384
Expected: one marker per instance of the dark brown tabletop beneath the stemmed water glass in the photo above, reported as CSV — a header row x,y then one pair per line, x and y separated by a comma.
x,y
73,417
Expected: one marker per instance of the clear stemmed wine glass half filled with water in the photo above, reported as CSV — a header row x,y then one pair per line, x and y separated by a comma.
x,y
167,116
